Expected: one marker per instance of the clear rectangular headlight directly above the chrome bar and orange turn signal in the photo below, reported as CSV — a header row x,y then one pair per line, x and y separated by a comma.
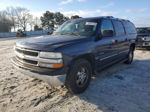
x,y
50,55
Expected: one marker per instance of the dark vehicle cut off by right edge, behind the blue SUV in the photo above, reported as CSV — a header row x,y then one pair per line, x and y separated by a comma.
x,y
143,38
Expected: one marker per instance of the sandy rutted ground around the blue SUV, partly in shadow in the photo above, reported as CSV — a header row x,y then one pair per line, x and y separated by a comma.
x,y
120,88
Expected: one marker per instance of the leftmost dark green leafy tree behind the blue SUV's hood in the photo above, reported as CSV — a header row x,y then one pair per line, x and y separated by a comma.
x,y
48,20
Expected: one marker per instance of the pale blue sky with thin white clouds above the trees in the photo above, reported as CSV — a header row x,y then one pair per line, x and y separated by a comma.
x,y
137,11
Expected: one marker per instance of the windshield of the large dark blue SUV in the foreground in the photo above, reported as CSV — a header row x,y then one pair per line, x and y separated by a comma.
x,y
78,28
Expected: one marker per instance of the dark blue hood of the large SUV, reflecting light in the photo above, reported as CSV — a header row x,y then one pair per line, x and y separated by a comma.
x,y
49,43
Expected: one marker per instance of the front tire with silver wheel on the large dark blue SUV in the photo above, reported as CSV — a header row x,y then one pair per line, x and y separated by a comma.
x,y
79,76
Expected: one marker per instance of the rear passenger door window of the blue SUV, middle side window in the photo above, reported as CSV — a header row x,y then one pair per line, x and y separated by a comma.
x,y
118,28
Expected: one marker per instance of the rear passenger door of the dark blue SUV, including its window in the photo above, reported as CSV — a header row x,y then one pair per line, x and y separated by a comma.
x,y
121,37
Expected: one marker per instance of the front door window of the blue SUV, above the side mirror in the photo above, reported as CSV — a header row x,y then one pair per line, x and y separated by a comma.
x,y
106,25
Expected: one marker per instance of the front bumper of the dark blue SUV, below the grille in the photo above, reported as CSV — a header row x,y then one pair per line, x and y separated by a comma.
x,y
51,76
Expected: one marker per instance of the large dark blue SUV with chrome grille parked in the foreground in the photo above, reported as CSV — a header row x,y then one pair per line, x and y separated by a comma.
x,y
76,51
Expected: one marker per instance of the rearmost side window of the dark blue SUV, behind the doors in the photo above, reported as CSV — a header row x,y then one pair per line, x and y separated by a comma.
x,y
129,27
